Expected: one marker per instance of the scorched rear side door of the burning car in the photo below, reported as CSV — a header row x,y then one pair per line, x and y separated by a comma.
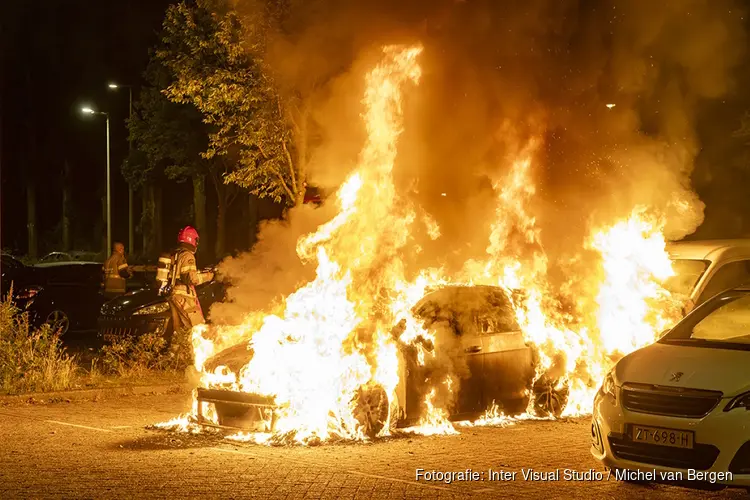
x,y
507,362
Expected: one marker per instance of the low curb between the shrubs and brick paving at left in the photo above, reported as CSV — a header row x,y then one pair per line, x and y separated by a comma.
x,y
96,394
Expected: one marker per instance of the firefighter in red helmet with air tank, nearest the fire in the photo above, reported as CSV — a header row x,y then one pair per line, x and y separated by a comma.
x,y
183,276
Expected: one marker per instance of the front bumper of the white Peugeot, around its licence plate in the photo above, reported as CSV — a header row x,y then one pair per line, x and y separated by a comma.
x,y
725,435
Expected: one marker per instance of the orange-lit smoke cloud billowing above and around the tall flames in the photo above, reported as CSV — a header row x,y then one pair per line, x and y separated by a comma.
x,y
496,75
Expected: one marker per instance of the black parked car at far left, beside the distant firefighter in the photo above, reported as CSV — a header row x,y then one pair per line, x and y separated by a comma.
x,y
65,295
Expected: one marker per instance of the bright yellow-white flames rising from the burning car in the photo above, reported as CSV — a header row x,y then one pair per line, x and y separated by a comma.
x,y
335,336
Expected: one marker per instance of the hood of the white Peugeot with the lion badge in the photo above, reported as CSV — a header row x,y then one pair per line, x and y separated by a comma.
x,y
725,370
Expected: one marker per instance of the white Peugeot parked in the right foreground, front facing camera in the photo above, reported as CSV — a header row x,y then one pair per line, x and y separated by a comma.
x,y
679,409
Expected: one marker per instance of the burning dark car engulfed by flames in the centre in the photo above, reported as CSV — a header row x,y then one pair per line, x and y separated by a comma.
x,y
479,346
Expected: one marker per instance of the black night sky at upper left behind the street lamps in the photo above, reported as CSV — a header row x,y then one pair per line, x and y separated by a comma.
x,y
58,55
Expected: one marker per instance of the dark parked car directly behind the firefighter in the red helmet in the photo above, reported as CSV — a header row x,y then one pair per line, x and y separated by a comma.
x,y
145,311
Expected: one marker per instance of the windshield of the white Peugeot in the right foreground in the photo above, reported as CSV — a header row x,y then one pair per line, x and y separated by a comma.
x,y
727,322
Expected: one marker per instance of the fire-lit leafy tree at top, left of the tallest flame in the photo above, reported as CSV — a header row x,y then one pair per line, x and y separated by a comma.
x,y
203,45
